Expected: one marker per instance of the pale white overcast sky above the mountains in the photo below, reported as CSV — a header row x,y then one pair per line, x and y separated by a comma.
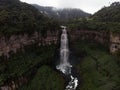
x,y
90,6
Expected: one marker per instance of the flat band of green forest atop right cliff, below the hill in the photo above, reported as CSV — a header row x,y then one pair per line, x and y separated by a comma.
x,y
91,24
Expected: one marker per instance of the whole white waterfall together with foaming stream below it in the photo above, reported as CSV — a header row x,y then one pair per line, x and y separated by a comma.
x,y
65,67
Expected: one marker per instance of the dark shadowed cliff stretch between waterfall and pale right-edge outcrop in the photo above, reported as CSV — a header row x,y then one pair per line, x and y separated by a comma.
x,y
92,36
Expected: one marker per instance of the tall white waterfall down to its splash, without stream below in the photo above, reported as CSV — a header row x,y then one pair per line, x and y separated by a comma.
x,y
64,66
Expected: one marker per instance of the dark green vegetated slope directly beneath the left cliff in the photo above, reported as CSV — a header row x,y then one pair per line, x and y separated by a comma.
x,y
23,63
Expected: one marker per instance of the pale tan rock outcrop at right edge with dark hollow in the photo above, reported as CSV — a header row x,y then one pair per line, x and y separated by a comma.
x,y
114,42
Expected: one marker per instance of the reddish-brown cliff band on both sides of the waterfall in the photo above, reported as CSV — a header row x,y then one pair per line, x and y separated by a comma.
x,y
16,42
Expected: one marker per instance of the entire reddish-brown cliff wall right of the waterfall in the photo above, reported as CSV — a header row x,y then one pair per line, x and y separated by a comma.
x,y
111,40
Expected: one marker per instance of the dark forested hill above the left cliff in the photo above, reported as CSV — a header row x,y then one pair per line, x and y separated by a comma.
x,y
17,17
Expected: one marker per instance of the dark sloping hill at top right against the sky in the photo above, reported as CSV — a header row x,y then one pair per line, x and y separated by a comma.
x,y
109,14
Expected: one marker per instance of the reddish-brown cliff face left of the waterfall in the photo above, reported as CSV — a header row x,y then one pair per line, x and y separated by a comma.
x,y
16,42
